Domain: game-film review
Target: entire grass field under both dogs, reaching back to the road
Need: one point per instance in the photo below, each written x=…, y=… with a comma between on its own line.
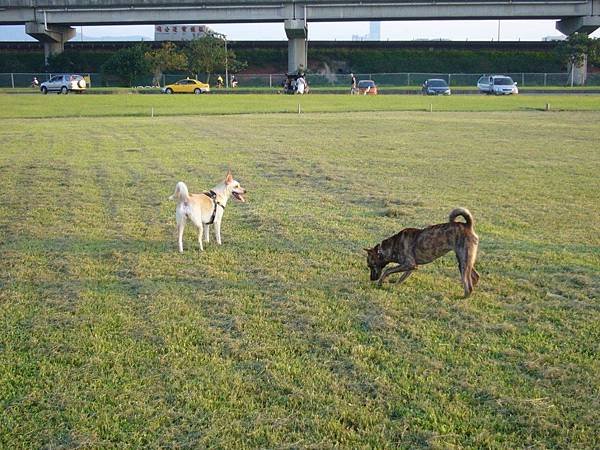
x=276, y=339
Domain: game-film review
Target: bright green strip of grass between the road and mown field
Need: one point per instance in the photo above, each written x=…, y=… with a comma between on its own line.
x=32, y=106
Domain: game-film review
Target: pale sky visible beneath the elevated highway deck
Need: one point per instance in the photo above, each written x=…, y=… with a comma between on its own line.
x=480, y=30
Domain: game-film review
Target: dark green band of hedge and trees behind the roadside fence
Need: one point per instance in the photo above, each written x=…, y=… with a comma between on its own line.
x=141, y=62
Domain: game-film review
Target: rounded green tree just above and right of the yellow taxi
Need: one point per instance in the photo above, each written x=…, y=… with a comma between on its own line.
x=208, y=55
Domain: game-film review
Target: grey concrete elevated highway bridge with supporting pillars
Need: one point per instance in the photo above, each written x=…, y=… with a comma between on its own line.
x=52, y=21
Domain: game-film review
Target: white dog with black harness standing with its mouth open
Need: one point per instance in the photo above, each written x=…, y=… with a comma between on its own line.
x=204, y=209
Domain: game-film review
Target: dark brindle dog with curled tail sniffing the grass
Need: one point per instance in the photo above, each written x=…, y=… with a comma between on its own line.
x=413, y=246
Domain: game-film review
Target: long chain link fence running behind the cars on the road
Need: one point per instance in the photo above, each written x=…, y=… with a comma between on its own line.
x=275, y=81
